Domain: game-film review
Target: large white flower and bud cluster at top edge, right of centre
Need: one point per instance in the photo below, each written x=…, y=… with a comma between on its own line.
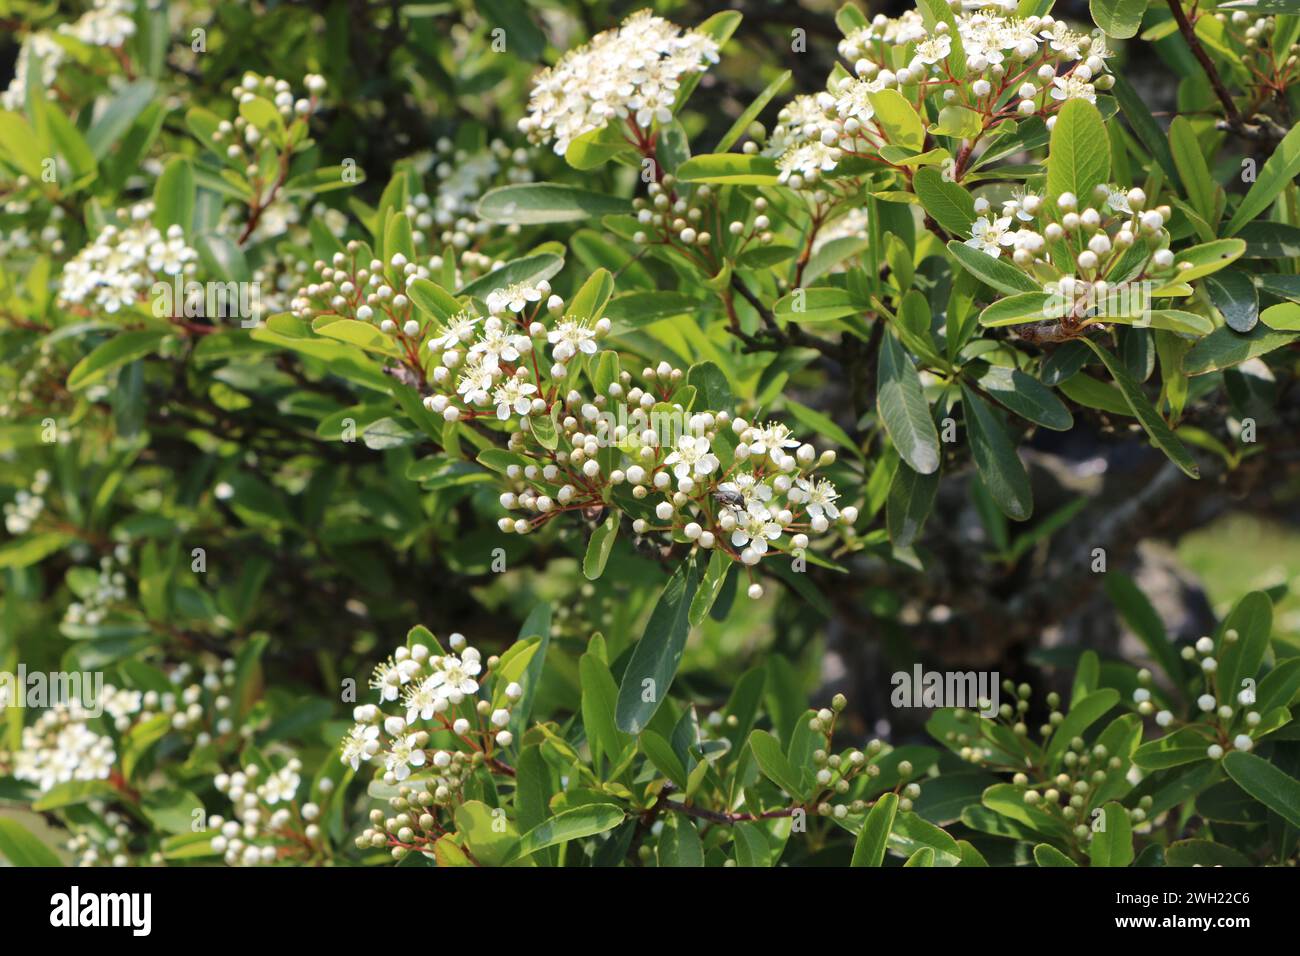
x=1003, y=67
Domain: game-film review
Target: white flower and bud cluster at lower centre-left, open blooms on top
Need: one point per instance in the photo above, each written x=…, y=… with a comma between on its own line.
x=443, y=732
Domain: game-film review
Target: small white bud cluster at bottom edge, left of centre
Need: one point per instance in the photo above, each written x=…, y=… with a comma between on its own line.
x=268, y=824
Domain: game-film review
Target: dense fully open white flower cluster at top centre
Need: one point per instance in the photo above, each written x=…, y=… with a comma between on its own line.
x=632, y=72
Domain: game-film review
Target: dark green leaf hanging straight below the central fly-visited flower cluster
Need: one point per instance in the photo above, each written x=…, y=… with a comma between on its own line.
x=656, y=657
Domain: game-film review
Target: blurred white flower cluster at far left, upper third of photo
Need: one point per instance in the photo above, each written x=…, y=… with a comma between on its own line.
x=118, y=270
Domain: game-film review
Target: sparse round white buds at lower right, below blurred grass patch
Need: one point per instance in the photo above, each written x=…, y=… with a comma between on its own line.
x=1227, y=721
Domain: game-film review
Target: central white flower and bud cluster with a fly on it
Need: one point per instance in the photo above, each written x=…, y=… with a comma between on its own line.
x=722, y=482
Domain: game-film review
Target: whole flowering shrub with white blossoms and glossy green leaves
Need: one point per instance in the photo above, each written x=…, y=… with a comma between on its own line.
x=496, y=317
